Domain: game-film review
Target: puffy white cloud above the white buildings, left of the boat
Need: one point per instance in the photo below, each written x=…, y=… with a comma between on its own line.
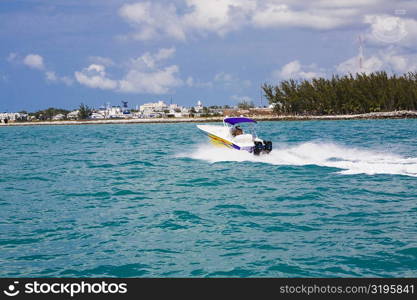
x=143, y=75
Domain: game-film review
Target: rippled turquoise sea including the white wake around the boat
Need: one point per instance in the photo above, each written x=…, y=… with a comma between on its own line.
x=334, y=198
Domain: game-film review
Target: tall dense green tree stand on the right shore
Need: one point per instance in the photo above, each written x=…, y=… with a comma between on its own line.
x=349, y=94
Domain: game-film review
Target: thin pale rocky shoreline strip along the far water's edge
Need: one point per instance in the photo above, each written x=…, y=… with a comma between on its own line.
x=374, y=115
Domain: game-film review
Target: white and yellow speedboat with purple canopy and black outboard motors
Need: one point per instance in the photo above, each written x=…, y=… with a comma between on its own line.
x=232, y=136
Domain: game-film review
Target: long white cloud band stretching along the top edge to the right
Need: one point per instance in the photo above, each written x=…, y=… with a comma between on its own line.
x=152, y=20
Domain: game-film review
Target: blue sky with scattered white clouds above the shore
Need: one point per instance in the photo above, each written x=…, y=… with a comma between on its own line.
x=60, y=53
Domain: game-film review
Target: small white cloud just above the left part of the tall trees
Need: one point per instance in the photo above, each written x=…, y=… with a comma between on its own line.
x=294, y=70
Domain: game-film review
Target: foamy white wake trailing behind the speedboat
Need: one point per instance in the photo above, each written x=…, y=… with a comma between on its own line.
x=350, y=160
